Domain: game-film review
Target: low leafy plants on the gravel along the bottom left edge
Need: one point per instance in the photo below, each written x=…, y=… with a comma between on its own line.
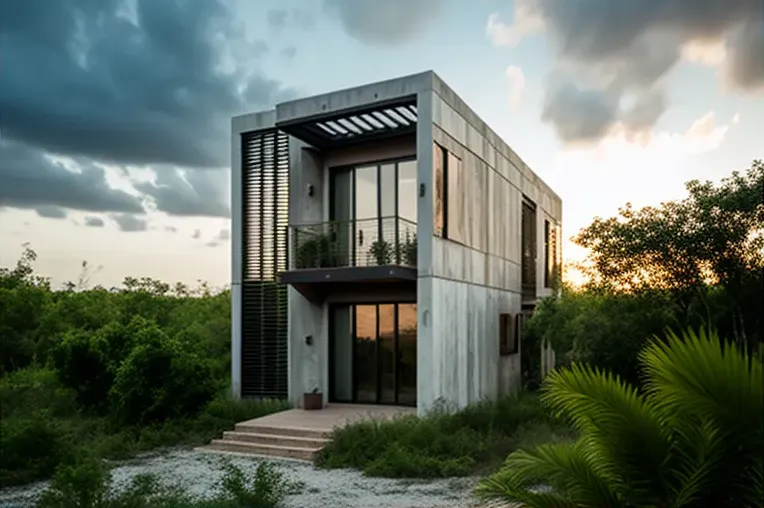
x=88, y=484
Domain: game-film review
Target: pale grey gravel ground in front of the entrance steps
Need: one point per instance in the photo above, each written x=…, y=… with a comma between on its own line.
x=199, y=472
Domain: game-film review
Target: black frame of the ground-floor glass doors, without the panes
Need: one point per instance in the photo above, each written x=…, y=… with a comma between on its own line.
x=354, y=338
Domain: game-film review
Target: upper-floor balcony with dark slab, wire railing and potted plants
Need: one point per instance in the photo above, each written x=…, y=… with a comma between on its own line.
x=342, y=260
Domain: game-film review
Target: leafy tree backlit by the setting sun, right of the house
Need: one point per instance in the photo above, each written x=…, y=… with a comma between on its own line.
x=714, y=237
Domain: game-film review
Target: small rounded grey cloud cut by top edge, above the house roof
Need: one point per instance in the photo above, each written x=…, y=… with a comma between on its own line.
x=385, y=23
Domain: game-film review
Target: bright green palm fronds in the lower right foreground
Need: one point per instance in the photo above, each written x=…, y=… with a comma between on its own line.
x=693, y=438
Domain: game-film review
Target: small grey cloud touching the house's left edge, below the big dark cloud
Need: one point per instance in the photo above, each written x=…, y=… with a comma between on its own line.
x=189, y=193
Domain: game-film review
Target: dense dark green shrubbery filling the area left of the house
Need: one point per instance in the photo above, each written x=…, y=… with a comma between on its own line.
x=109, y=372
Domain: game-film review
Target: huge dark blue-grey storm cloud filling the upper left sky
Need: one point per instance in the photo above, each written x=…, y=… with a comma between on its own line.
x=80, y=78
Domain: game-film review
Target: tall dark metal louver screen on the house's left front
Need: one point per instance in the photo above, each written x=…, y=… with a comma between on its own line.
x=265, y=160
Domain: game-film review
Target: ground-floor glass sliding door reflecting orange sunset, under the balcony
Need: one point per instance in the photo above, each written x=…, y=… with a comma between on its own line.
x=373, y=354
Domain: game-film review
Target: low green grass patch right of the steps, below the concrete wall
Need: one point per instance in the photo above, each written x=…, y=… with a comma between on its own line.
x=440, y=444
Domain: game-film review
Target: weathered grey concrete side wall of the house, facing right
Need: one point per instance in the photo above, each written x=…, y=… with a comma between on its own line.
x=464, y=287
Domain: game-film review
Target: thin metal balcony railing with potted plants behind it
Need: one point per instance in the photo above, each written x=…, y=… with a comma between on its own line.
x=368, y=242
